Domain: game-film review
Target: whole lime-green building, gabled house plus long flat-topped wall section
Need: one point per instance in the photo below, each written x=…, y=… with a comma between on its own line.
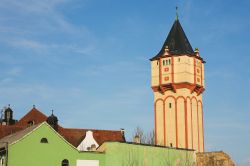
x=41, y=145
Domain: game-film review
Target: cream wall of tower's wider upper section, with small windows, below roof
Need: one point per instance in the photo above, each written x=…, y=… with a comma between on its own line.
x=177, y=69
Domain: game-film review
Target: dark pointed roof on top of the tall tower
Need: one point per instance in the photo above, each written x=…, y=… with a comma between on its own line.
x=177, y=42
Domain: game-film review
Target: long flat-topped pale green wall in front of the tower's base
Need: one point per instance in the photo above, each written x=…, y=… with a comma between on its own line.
x=123, y=154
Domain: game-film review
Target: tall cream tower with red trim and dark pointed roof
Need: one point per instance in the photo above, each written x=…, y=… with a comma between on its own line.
x=177, y=80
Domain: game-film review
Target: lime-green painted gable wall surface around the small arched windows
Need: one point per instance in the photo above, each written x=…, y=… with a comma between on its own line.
x=30, y=152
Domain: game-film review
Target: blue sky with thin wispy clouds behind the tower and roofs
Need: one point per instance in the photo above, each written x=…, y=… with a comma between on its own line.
x=89, y=61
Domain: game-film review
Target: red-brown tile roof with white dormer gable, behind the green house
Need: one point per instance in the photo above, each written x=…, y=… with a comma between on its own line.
x=73, y=136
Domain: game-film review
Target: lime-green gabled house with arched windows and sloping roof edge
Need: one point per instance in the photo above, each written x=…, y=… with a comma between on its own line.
x=41, y=145
